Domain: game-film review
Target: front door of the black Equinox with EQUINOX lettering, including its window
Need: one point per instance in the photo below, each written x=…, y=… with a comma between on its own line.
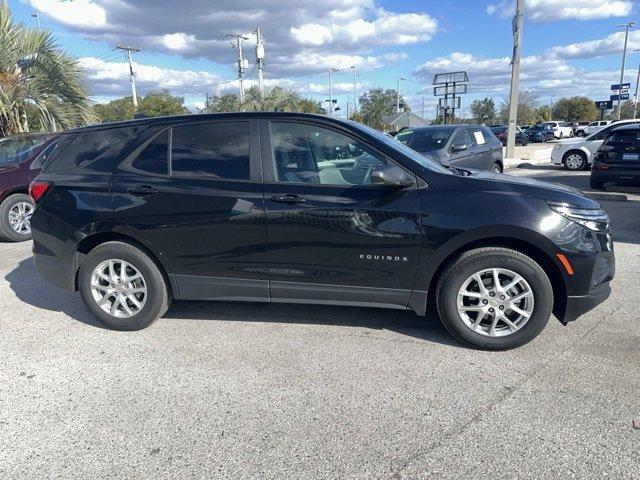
x=333, y=236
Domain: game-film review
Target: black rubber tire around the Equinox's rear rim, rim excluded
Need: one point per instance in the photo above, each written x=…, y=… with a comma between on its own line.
x=158, y=296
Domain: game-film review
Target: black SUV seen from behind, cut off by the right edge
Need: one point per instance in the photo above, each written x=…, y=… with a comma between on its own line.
x=618, y=158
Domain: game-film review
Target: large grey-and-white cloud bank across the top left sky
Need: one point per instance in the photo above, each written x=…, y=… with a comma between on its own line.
x=293, y=30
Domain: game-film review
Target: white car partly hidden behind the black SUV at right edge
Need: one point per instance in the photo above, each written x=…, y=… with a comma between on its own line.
x=577, y=153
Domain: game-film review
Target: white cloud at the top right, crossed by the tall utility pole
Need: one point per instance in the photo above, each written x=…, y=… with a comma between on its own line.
x=554, y=10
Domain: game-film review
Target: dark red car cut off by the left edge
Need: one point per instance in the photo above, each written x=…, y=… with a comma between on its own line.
x=21, y=157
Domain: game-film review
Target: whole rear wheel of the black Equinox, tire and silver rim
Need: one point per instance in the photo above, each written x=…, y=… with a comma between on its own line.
x=122, y=286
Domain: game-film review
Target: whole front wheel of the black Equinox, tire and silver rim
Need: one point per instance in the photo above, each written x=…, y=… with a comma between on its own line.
x=494, y=298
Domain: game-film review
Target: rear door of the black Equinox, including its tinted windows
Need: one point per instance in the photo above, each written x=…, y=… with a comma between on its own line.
x=193, y=194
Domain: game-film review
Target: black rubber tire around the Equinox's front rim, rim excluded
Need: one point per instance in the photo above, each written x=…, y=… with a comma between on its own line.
x=477, y=260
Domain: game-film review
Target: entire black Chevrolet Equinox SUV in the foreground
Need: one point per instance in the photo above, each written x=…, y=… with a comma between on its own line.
x=278, y=207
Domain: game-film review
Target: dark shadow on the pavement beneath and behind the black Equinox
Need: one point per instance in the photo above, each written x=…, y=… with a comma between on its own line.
x=33, y=290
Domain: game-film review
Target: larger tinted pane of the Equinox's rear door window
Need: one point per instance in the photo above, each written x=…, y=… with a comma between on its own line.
x=214, y=149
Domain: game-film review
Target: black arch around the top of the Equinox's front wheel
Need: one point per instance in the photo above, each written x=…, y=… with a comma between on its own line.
x=526, y=246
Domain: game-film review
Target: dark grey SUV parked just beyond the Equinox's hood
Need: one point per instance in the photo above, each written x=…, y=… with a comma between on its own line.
x=467, y=146
